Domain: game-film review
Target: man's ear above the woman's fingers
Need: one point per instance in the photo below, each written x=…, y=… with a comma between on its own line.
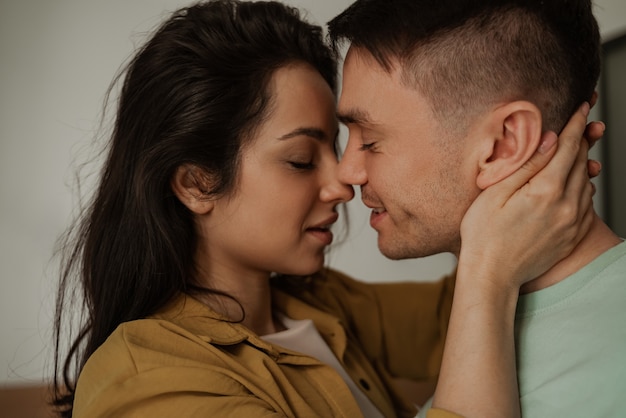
x=513, y=132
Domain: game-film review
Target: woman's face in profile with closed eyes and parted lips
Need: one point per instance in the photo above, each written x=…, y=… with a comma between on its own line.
x=278, y=218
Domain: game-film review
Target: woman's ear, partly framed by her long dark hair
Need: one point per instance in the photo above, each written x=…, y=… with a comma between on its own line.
x=190, y=185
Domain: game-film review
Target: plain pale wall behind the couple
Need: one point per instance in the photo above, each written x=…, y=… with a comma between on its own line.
x=57, y=59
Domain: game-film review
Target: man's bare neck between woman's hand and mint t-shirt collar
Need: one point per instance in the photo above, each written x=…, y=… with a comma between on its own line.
x=599, y=239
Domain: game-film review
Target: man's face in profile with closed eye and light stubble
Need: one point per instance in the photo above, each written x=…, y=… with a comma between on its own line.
x=413, y=175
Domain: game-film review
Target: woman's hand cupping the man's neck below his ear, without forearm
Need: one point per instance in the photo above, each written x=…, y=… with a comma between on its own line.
x=529, y=221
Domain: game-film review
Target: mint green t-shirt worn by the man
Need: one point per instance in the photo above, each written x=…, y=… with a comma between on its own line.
x=571, y=343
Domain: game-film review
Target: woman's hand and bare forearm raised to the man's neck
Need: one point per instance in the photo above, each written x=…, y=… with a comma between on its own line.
x=514, y=231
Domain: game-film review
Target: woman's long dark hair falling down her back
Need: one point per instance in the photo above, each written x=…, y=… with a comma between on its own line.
x=194, y=93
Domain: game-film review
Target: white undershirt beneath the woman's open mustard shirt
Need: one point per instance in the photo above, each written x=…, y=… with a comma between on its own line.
x=302, y=336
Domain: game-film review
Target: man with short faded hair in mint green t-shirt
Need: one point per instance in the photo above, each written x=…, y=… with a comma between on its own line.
x=444, y=99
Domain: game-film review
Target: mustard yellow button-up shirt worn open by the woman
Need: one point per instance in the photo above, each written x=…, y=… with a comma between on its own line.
x=189, y=361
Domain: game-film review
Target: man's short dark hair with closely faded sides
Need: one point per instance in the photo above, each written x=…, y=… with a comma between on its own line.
x=465, y=55
